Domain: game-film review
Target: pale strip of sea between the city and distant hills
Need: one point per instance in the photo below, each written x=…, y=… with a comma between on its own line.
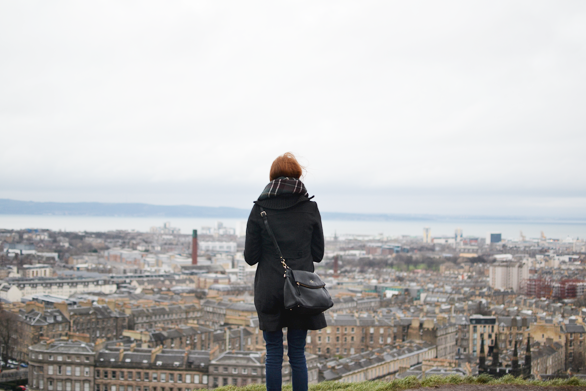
x=509, y=229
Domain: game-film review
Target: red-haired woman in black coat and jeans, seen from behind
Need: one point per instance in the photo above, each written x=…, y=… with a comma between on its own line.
x=296, y=224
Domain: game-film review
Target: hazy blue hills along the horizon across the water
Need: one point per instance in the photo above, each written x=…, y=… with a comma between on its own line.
x=14, y=207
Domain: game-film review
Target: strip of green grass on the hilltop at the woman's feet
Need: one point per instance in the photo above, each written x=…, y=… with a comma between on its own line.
x=413, y=382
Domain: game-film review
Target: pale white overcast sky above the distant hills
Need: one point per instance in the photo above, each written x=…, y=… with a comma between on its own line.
x=444, y=107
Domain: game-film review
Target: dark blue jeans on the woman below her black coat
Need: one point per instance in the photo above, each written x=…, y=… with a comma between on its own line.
x=274, y=361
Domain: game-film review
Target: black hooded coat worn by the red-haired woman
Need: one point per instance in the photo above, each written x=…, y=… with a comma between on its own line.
x=296, y=224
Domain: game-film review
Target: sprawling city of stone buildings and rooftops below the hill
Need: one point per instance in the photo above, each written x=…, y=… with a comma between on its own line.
x=169, y=311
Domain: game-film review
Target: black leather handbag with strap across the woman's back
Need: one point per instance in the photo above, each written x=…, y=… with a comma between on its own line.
x=304, y=292
